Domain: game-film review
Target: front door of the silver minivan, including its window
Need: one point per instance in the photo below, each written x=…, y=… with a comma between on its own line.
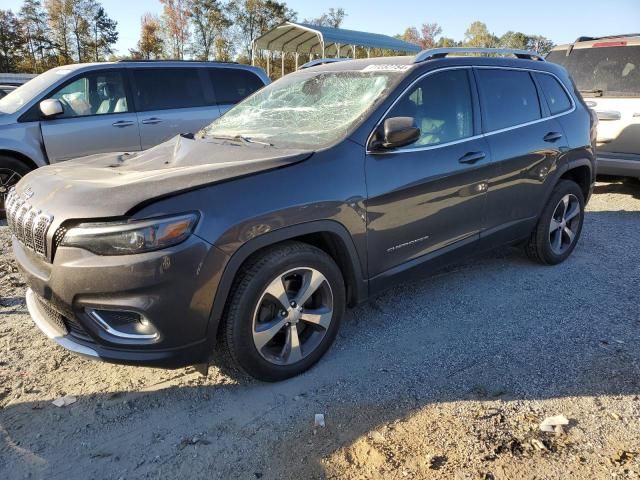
x=98, y=117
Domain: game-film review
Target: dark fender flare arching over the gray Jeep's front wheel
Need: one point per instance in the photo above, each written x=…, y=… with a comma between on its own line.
x=360, y=284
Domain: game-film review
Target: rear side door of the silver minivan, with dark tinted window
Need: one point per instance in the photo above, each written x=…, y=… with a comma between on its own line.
x=170, y=101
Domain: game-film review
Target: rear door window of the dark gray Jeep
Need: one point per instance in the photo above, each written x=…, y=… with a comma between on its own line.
x=509, y=98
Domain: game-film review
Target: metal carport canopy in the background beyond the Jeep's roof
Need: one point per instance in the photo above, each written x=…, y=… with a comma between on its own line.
x=304, y=38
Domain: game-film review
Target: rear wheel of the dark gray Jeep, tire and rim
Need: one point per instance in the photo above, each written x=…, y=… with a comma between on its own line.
x=559, y=226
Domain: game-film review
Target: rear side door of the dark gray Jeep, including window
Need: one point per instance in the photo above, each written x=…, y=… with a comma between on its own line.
x=525, y=141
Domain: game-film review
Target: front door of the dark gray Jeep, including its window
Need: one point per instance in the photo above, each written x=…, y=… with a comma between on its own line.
x=429, y=195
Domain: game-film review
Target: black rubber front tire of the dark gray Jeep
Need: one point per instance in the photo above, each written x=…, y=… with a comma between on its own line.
x=238, y=327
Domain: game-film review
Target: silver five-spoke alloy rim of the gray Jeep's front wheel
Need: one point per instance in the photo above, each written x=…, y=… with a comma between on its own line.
x=292, y=316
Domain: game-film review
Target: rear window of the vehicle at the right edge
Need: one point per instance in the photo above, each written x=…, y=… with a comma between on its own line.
x=603, y=70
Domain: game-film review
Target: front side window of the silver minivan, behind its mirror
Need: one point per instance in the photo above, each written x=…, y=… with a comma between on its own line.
x=95, y=94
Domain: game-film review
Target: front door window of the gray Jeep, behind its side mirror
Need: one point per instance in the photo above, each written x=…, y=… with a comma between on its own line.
x=442, y=105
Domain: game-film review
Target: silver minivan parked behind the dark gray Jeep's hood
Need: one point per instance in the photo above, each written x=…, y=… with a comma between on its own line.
x=77, y=110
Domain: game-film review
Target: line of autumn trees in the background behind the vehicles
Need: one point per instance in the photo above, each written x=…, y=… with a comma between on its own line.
x=48, y=33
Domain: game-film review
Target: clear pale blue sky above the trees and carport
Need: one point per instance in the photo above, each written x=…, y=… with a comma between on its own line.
x=560, y=20
